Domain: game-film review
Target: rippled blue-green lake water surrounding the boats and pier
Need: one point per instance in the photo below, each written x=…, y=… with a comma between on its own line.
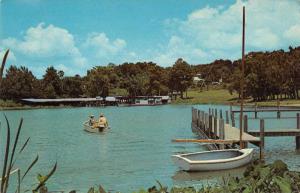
x=132, y=155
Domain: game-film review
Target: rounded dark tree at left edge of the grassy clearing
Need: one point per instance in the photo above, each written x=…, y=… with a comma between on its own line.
x=180, y=76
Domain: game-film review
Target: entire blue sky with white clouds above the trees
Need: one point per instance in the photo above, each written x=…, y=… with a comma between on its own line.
x=76, y=35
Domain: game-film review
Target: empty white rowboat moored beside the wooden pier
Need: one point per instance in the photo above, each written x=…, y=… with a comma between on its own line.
x=213, y=160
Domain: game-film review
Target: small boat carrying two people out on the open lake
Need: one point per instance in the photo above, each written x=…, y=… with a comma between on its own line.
x=94, y=126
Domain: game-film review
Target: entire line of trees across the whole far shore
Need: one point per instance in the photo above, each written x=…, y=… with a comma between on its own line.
x=268, y=75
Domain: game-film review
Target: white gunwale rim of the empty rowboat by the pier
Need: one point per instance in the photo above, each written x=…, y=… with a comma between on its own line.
x=245, y=152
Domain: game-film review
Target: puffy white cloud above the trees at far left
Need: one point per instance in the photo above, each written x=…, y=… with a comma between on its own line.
x=46, y=44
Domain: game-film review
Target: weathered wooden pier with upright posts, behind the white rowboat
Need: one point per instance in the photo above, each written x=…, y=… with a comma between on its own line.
x=221, y=132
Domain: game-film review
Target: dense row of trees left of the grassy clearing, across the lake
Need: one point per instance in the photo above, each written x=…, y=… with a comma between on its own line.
x=130, y=79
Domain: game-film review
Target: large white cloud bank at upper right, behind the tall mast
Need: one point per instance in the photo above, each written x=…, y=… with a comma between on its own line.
x=211, y=33
